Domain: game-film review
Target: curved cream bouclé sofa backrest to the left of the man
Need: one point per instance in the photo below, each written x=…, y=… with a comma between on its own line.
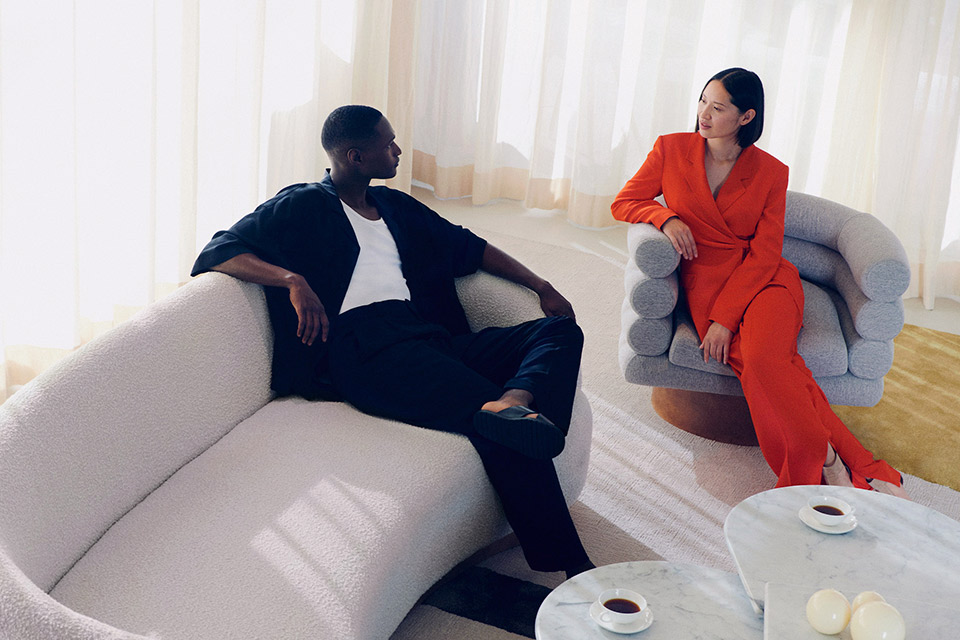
x=88, y=439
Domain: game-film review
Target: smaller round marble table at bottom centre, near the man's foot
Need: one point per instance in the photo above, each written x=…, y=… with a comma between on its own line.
x=687, y=601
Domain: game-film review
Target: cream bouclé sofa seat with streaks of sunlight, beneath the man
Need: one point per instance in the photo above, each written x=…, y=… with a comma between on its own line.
x=308, y=520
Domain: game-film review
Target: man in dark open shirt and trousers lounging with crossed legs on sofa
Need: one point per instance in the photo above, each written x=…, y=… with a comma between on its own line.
x=360, y=288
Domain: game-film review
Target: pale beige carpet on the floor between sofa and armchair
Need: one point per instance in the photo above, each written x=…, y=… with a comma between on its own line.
x=653, y=492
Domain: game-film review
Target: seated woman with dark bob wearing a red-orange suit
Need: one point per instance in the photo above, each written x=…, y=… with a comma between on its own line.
x=725, y=210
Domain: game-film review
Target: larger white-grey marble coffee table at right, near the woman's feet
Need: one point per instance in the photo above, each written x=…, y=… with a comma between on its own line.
x=899, y=548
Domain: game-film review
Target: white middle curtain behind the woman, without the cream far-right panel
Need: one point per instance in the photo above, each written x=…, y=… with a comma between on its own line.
x=580, y=90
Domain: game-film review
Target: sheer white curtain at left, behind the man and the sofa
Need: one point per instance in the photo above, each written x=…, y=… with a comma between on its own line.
x=132, y=130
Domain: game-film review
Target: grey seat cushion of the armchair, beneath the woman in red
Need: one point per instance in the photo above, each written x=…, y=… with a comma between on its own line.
x=821, y=341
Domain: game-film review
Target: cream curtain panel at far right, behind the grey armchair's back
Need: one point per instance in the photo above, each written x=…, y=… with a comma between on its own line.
x=895, y=154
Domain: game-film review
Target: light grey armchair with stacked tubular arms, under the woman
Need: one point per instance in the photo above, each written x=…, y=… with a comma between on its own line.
x=853, y=270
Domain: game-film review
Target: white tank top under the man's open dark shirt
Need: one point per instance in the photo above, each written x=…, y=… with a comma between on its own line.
x=377, y=275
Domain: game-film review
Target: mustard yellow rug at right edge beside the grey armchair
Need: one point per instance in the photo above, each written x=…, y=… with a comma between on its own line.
x=916, y=426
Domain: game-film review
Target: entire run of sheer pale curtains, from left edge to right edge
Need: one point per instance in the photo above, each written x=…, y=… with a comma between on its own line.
x=131, y=130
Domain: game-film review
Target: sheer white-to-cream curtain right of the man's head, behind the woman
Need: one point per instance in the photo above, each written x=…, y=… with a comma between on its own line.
x=557, y=102
